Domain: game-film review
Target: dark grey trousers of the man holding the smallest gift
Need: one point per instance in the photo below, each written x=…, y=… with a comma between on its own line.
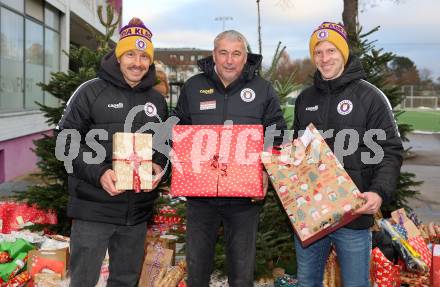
x=89, y=242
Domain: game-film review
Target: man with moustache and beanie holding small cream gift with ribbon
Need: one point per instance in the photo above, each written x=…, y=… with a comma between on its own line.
x=103, y=217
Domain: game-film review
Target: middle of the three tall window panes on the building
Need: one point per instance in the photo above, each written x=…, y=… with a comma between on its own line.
x=34, y=59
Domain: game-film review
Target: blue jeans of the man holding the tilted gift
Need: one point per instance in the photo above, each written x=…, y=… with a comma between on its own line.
x=353, y=249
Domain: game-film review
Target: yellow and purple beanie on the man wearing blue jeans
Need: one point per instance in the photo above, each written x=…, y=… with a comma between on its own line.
x=335, y=34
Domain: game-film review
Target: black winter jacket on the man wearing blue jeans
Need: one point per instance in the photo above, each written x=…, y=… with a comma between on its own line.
x=350, y=102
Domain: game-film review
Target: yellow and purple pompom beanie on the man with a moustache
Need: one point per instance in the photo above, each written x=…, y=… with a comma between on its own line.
x=135, y=36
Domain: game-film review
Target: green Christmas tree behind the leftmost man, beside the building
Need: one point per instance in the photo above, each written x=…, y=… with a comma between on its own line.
x=83, y=65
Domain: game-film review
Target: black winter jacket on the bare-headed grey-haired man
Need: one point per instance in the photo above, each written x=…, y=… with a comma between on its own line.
x=249, y=100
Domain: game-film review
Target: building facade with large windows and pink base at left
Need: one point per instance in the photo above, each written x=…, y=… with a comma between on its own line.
x=34, y=35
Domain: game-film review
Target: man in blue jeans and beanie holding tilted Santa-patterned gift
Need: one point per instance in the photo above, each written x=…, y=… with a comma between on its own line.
x=349, y=111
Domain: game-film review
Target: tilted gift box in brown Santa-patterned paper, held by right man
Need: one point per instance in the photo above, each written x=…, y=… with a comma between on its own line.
x=315, y=190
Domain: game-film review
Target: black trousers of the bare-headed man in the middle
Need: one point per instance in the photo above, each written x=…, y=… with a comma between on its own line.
x=240, y=222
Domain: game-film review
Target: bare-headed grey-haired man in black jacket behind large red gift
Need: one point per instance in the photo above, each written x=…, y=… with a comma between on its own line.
x=228, y=89
